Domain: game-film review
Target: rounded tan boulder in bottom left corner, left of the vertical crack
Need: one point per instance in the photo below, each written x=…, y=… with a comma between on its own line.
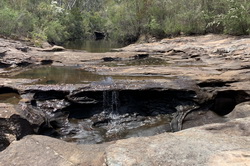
x=42, y=150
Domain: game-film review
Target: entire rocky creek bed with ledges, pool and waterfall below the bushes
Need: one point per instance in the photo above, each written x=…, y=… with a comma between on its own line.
x=180, y=101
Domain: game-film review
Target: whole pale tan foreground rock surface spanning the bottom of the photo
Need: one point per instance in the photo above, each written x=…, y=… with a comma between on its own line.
x=207, y=145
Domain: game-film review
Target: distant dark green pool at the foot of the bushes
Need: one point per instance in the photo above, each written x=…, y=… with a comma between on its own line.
x=93, y=45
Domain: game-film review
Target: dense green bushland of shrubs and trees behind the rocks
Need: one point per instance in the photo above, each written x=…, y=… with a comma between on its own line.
x=58, y=21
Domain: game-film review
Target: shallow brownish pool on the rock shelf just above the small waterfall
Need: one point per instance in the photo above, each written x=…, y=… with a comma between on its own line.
x=74, y=75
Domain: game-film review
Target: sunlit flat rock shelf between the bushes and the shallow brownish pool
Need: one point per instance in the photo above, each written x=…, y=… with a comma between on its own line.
x=203, y=59
